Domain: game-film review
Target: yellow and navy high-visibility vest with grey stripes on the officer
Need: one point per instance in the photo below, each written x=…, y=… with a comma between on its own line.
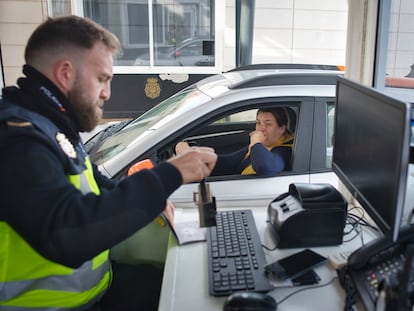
x=29, y=281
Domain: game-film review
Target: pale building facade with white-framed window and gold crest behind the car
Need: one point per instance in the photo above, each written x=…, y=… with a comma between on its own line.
x=169, y=44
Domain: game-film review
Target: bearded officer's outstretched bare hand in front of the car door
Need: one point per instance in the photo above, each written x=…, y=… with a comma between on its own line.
x=195, y=163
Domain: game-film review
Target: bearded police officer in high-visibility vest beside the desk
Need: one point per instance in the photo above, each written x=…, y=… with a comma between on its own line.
x=58, y=214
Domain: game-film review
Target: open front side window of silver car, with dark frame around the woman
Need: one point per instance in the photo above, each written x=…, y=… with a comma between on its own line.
x=227, y=130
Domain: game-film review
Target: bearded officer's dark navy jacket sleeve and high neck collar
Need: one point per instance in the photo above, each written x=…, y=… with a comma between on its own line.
x=39, y=202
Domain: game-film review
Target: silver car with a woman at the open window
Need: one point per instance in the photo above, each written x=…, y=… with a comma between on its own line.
x=220, y=111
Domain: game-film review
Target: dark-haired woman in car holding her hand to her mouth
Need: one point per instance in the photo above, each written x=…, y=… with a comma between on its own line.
x=268, y=153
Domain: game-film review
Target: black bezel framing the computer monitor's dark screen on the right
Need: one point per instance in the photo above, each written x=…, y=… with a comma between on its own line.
x=391, y=227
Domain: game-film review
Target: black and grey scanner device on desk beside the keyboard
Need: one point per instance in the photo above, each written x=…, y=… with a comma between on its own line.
x=308, y=215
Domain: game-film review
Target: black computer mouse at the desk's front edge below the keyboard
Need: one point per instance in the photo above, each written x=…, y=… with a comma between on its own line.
x=249, y=301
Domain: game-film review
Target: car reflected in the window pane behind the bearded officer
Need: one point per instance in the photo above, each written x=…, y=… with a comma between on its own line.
x=188, y=52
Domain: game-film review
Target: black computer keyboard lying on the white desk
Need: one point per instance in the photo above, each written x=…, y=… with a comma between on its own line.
x=236, y=258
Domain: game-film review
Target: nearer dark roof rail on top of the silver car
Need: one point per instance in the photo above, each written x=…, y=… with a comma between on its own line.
x=287, y=79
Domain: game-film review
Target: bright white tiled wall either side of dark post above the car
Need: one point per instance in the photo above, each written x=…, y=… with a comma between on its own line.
x=292, y=31
